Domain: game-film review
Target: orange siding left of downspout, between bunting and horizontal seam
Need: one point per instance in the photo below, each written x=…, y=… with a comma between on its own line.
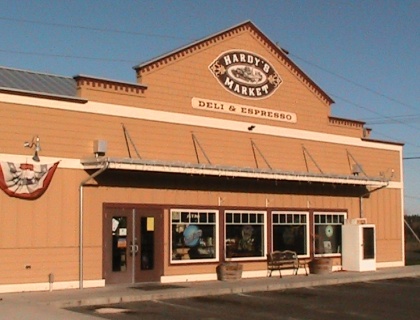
x=50, y=221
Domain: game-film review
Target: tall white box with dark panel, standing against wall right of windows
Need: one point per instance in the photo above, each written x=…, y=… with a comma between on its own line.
x=359, y=247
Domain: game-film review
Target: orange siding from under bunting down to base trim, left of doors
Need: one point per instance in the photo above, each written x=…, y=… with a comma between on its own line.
x=44, y=234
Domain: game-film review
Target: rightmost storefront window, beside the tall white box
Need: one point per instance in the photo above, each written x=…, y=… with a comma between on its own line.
x=328, y=233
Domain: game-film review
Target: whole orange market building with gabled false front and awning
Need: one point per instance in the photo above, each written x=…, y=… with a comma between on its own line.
x=223, y=150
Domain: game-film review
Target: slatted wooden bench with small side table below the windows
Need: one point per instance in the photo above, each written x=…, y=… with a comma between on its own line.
x=281, y=260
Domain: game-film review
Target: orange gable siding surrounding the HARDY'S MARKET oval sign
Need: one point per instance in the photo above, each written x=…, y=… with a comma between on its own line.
x=292, y=95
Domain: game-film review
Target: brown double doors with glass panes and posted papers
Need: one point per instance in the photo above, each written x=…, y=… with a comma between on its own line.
x=132, y=244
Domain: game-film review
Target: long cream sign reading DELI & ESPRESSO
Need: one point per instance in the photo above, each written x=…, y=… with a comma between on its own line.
x=238, y=109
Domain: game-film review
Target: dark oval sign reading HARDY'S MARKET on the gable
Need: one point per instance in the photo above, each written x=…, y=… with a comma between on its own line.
x=245, y=74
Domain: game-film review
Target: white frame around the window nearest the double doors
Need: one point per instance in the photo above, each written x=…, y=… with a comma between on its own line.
x=191, y=219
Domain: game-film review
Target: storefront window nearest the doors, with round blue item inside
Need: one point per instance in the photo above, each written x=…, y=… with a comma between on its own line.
x=193, y=235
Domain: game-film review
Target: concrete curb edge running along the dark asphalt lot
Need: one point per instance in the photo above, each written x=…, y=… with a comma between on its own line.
x=190, y=290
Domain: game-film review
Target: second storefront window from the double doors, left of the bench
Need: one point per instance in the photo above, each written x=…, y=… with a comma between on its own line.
x=245, y=234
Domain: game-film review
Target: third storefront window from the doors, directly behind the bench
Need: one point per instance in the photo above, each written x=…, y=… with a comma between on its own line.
x=290, y=232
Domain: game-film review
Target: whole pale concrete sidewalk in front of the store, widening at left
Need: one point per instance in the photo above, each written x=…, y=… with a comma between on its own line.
x=50, y=305
